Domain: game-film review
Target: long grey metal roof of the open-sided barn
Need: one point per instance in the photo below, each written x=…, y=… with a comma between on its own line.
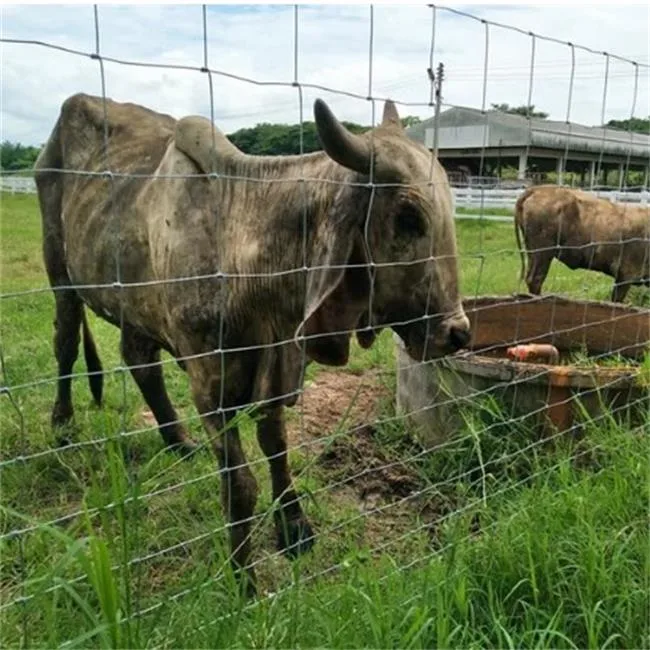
x=468, y=128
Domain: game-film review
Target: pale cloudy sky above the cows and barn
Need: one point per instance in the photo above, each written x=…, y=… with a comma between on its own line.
x=258, y=45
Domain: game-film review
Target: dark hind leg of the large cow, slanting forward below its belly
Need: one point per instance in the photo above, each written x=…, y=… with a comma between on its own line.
x=141, y=351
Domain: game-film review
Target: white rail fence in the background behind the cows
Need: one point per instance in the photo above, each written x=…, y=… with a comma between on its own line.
x=465, y=197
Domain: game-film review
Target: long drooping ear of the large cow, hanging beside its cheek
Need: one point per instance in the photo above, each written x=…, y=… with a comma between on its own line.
x=338, y=290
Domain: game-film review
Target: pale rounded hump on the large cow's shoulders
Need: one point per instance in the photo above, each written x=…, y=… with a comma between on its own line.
x=202, y=141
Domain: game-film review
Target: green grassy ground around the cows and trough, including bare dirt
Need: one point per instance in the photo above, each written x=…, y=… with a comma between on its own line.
x=497, y=540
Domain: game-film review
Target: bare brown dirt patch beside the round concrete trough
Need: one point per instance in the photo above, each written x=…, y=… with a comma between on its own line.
x=339, y=431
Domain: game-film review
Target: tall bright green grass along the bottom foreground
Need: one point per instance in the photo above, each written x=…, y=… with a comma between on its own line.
x=556, y=557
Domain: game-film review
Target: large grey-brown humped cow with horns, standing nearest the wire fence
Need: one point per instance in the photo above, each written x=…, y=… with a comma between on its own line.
x=244, y=268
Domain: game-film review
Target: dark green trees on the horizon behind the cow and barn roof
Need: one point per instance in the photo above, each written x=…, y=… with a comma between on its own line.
x=286, y=139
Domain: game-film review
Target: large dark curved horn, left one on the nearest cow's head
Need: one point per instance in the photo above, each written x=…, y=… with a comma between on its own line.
x=347, y=149
